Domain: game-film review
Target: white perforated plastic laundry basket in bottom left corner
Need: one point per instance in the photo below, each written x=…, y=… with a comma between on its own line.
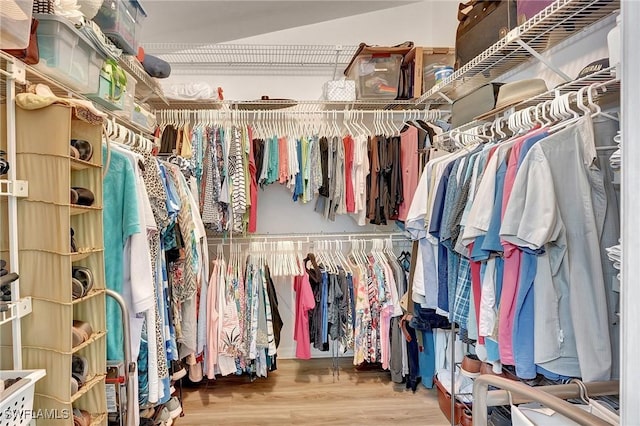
x=16, y=401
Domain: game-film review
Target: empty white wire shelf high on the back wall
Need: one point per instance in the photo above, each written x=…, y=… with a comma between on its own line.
x=252, y=58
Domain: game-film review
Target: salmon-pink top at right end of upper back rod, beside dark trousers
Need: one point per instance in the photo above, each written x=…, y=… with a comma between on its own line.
x=410, y=166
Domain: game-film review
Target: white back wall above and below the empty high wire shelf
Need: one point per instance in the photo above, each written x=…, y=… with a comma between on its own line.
x=427, y=23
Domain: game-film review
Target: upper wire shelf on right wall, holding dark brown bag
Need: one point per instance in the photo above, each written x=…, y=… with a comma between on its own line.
x=556, y=23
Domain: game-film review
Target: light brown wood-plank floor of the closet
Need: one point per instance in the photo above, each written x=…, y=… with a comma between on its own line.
x=307, y=393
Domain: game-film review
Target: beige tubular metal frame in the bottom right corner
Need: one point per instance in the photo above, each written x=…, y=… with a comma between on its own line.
x=550, y=396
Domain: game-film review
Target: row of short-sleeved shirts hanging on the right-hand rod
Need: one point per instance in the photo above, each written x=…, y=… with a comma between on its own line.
x=490, y=244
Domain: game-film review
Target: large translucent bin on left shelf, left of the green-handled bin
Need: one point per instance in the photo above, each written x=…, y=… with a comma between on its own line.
x=67, y=55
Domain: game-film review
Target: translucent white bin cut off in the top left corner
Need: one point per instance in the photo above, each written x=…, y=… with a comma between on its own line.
x=15, y=23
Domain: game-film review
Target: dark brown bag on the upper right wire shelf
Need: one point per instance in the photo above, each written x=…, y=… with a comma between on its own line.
x=481, y=24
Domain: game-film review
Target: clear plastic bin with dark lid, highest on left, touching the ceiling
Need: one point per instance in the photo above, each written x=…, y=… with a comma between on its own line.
x=121, y=20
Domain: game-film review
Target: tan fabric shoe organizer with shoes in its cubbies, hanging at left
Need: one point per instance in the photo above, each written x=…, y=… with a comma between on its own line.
x=46, y=259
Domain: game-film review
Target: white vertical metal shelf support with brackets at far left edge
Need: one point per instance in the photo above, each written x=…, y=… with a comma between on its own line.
x=11, y=71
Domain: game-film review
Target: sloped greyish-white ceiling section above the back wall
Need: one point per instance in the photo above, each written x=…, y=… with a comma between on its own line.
x=208, y=22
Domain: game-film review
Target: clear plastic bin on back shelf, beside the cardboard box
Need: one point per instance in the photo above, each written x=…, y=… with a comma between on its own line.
x=377, y=76
